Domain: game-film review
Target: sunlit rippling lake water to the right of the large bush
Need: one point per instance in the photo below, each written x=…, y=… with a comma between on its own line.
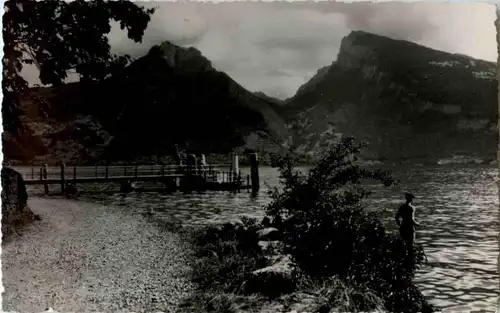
x=458, y=210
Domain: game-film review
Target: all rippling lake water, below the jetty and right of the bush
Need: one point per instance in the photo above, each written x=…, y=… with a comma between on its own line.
x=457, y=208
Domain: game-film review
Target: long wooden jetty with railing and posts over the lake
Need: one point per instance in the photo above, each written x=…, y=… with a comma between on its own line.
x=183, y=177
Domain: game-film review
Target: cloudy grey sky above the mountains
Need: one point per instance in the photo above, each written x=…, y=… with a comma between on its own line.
x=275, y=47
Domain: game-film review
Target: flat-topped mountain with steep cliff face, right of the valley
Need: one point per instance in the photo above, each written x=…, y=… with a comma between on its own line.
x=409, y=102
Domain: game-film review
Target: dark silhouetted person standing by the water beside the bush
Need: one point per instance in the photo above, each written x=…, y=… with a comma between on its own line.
x=405, y=218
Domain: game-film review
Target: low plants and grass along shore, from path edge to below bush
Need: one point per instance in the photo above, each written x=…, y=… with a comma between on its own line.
x=223, y=261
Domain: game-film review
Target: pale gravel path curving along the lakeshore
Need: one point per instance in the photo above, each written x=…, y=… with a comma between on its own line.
x=85, y=257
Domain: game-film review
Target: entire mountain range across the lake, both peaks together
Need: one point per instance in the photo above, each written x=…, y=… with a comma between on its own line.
x=411, y=103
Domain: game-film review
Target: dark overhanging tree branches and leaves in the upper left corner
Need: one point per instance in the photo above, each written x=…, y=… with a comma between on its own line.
x=59, y=36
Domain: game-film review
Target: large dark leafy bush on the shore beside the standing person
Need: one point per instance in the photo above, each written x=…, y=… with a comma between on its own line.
x=328, y=233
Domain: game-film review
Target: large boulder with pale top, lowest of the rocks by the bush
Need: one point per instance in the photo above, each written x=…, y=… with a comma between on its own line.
x=273, y=280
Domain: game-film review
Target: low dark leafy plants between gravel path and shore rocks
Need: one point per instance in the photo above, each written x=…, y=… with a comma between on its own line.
x=224, y=258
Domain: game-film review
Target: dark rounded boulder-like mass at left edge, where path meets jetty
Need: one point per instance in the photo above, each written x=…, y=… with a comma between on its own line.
x=15, y=210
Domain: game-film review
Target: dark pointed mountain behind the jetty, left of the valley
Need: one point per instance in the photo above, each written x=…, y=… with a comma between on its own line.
x=171, y=95
